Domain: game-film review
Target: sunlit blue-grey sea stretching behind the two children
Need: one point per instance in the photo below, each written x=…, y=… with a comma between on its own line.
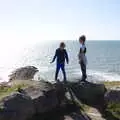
x=103, y=58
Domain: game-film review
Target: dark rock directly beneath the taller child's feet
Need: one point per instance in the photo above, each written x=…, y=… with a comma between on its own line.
x=88, y=93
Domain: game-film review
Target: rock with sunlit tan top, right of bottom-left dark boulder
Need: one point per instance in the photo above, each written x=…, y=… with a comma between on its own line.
x=43, y=95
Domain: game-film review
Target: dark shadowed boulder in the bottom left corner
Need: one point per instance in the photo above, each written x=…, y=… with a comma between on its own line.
x=17, y=107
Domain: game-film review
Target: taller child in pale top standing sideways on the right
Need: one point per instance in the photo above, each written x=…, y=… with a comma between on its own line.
x=82, y=57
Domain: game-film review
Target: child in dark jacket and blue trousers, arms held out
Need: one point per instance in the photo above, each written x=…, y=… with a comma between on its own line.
x=61, y=55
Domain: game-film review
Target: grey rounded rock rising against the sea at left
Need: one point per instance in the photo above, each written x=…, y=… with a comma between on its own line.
x=23, y=73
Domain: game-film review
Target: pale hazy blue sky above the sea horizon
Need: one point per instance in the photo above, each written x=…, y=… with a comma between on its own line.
x=36, y=20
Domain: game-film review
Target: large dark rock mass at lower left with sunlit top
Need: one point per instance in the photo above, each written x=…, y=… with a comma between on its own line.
x=26, y=102
